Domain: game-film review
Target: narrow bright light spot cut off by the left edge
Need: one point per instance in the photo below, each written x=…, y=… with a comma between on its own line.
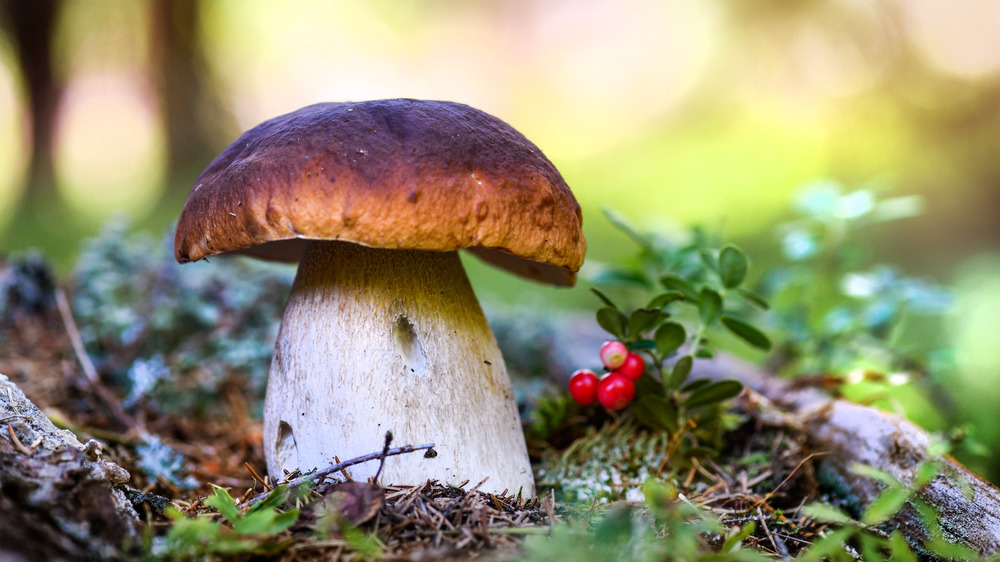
x=13, y=140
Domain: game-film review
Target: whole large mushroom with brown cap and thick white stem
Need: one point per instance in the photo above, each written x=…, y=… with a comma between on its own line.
x=382, y=330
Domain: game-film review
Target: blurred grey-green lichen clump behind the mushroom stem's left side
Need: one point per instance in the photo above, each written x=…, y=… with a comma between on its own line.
x=172, y=334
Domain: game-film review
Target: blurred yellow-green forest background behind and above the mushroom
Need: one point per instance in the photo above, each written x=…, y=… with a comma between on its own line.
x=673, y=112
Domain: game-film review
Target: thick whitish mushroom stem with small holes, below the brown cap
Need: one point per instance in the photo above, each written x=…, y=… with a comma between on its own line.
x=375, y=340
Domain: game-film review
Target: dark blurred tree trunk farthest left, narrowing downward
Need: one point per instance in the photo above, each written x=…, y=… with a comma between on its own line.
x=31, y=25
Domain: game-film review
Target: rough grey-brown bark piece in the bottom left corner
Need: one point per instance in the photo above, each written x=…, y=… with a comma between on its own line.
x=58, y=497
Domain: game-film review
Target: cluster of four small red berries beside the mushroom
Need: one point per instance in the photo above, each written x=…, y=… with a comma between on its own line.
x=616, y=389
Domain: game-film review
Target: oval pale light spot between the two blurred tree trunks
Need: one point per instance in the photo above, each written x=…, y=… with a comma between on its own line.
x=109, y=150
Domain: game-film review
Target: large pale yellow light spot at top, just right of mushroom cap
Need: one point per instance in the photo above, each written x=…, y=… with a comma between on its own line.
x=601, y=72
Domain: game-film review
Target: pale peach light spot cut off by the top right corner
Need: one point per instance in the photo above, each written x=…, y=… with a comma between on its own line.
x=960, y=36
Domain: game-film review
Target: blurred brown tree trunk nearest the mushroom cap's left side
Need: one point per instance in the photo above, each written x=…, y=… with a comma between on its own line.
x=192, y=111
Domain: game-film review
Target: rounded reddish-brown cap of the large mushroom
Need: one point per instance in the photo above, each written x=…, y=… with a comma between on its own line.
x=400, y=174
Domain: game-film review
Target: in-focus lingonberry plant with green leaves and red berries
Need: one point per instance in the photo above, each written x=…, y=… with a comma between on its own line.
x=663, y=339
